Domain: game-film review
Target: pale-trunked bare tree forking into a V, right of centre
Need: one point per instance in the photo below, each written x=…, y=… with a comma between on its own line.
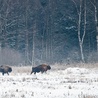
x=81, y=38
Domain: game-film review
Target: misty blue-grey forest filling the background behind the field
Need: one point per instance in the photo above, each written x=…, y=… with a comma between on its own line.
x=48, y=31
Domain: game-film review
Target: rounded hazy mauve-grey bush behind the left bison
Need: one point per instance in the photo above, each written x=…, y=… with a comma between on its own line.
x=10, y=57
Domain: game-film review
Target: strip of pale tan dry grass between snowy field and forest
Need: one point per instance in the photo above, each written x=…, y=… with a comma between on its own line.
x=57, y=66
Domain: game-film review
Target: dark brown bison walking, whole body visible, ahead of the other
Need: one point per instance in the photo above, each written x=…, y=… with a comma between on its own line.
x=41, y=68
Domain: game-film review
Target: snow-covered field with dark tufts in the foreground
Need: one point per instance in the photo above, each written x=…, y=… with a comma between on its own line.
x=68, y=83
